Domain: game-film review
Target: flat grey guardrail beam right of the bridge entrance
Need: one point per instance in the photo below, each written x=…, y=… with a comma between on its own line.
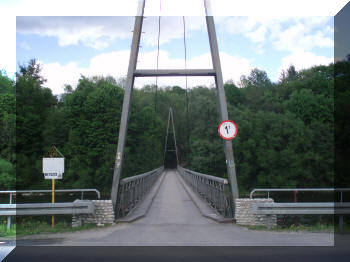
x=326, y=208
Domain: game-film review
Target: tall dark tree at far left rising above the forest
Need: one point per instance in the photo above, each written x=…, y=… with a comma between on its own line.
x=34, y=103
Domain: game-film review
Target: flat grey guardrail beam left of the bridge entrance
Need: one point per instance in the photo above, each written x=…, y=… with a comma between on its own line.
x=77, y=207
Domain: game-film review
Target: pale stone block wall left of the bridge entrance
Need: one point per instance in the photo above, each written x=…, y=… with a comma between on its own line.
x=103, y=214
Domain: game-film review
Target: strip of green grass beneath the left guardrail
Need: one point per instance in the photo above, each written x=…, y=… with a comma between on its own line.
x=37, y=227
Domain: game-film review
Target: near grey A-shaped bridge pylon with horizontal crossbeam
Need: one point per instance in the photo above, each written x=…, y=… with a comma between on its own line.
x=132, y=73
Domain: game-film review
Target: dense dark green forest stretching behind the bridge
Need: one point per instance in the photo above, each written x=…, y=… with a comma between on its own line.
x=285, y=129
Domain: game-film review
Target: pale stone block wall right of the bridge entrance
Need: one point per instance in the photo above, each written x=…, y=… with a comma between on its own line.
x=244, y=213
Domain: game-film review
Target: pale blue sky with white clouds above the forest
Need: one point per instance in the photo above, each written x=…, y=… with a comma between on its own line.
x=68, y=46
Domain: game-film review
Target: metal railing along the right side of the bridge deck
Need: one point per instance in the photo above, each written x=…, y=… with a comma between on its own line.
x=214, y=190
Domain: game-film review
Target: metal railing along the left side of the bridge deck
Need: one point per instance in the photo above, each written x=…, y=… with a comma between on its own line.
x=133, y=189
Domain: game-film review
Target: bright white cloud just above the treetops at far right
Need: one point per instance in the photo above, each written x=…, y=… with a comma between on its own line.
x=303, y=60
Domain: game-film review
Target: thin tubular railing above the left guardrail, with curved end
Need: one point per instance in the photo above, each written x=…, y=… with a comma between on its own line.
x=14, y=192
